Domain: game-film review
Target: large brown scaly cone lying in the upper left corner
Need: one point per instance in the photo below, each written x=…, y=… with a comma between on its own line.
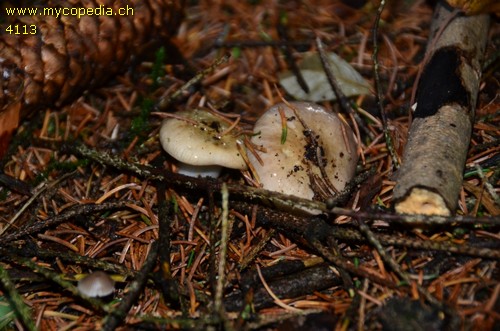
x=70, y=54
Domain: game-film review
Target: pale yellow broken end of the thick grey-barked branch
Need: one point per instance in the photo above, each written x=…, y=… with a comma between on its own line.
x=422, y=201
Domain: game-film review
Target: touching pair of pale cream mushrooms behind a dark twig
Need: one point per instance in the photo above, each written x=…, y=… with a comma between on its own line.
x=300, y=148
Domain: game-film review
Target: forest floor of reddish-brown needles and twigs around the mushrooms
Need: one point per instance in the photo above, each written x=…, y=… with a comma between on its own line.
x=209, y=261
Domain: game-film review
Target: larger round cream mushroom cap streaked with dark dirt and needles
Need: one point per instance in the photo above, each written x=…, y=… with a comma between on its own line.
x=304, y=150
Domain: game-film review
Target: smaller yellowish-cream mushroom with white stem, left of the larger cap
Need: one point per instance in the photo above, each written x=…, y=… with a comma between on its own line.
x=200, y=141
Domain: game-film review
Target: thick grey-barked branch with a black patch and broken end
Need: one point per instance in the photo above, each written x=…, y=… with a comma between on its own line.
x=430, y=177
